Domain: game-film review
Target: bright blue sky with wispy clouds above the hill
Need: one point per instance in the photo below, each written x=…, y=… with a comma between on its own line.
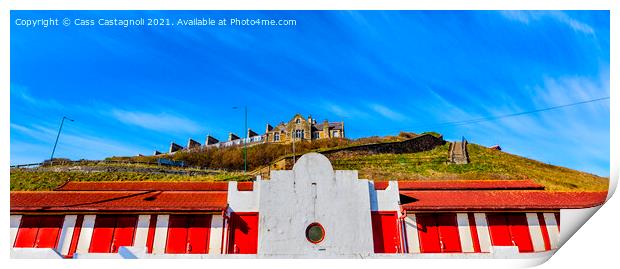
x=134, y=90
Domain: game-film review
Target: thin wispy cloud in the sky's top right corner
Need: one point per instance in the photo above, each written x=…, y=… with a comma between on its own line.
x=527, y=17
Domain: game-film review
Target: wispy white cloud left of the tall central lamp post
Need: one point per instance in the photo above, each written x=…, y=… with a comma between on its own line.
x=162, y=122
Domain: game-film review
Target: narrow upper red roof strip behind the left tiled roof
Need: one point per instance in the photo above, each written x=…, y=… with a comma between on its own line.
x=151, y=185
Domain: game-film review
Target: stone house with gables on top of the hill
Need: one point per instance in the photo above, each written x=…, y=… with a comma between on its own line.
x=302, y=129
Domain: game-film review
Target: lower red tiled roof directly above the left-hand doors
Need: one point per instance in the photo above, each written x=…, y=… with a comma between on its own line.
x=119, y=201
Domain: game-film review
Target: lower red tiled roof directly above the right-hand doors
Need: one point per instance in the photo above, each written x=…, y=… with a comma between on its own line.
x=498, y=200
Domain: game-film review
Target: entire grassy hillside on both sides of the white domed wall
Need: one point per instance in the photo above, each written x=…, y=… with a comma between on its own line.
x=484, y=163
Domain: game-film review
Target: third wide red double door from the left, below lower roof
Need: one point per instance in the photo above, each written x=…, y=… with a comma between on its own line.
x=188, y=234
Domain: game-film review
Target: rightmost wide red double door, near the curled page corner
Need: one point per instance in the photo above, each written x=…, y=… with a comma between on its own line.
x=510, y=229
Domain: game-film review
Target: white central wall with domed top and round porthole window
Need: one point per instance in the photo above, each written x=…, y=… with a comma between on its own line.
x=314, y=192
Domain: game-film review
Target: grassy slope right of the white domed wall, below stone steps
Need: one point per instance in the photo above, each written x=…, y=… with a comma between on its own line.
x=484, y=163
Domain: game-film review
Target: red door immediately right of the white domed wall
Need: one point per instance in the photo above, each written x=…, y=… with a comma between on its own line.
x=385, y=232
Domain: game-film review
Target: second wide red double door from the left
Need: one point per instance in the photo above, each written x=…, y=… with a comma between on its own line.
x=112, y=232
